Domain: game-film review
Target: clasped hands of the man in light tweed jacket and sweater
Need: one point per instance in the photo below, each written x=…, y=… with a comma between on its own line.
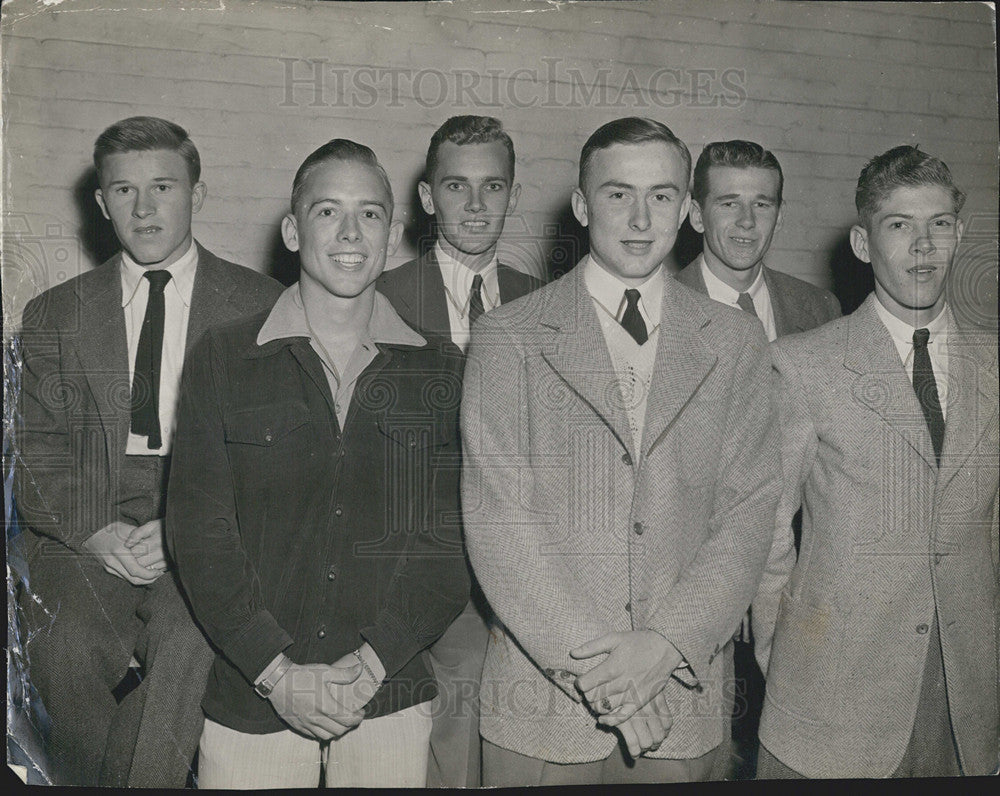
x=626, y=689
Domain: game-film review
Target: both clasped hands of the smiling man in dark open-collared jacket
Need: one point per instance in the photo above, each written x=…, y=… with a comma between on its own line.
x=324, y=701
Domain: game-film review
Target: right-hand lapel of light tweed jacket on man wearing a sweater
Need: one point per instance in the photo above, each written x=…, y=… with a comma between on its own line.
x=683, y=360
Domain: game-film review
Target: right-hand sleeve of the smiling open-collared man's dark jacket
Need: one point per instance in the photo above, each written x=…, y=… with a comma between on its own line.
x=431, y=585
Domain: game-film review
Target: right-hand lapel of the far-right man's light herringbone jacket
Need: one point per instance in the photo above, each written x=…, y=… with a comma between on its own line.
x=971, y=400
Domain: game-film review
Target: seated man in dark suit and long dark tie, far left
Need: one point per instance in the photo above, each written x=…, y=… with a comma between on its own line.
x=102, y=357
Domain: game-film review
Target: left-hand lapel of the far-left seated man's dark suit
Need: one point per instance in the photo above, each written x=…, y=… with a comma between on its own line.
x=102, y=349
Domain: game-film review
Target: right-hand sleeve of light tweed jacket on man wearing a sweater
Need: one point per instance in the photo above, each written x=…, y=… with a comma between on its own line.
x=700, y=611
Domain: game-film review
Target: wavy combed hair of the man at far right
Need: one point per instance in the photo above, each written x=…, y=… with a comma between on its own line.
x=902, y=166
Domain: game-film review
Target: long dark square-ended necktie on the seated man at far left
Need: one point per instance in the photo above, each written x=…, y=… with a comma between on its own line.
x=146, y=381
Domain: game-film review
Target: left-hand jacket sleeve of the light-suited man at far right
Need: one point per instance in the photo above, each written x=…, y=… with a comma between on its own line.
x=798, y=451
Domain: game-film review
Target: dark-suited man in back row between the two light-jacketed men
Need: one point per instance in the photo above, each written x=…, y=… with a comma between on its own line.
x=736, y=203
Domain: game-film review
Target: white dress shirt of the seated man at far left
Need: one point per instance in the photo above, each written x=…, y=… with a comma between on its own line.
x=177, y=309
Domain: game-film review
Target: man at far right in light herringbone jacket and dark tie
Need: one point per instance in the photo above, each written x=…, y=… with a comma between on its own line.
x=884, y=655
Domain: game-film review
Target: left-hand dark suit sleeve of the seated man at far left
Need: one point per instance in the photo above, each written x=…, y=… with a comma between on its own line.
x=52, y=497
